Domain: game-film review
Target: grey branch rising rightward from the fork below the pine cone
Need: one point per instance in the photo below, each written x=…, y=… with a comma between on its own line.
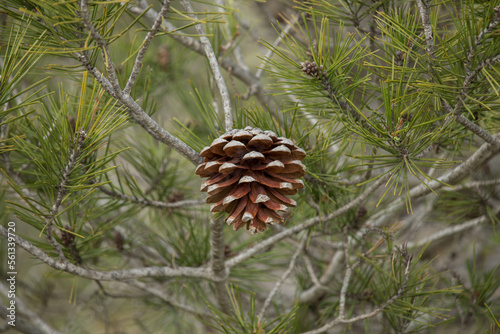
x=305, y=225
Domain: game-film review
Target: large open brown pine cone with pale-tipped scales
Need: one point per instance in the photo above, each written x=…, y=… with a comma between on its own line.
x=250, y=173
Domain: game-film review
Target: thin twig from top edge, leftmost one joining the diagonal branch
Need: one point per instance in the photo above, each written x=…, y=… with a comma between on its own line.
x=103, y=45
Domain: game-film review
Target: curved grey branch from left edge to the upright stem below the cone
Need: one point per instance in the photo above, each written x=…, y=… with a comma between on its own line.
x=116, y=275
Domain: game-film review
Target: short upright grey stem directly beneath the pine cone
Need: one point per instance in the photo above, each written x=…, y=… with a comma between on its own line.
x=218, y=265
